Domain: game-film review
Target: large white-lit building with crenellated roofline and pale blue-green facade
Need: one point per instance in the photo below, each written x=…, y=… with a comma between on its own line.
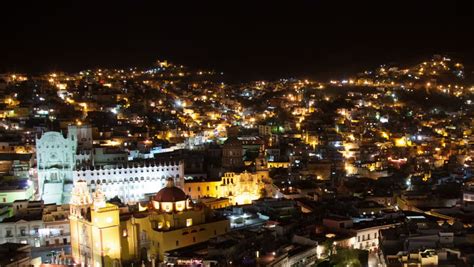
x=59, y=165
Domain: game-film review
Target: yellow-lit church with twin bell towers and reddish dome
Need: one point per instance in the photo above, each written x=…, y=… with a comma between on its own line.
x=102, y=235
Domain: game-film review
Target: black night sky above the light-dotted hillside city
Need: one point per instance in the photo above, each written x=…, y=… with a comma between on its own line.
x=250, y=39
